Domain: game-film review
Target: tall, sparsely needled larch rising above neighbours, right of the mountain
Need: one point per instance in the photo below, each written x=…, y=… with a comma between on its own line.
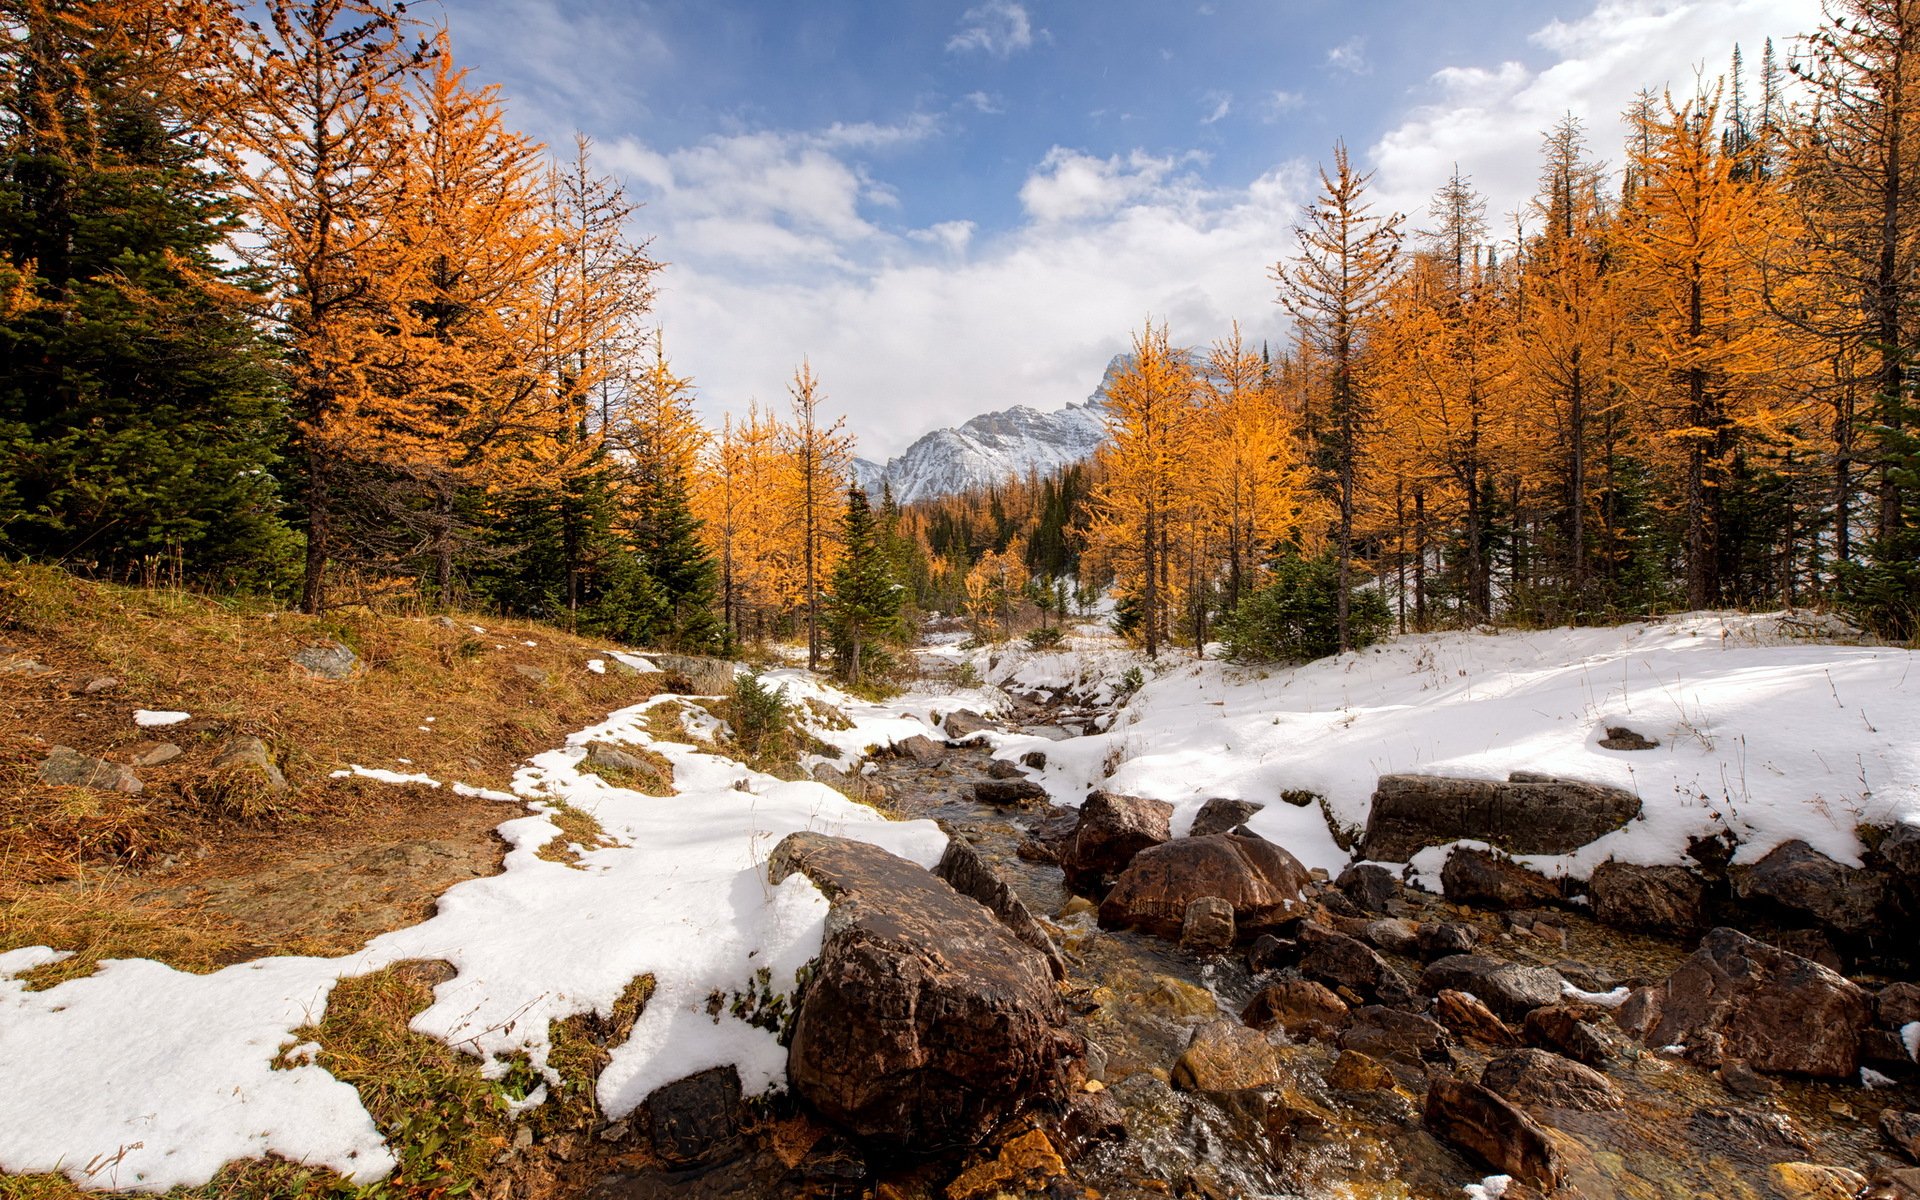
x=1333, y=287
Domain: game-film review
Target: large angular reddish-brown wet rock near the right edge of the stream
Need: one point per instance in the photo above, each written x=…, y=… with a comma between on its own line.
x=1775, y=1011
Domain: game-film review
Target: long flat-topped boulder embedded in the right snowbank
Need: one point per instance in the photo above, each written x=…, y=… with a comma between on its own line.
x=1529, y=815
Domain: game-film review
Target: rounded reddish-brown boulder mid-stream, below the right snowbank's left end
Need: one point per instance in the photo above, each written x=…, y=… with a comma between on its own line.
x=1259, y=878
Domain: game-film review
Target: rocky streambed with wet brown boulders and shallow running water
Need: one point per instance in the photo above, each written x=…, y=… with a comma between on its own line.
x=1080, y=1005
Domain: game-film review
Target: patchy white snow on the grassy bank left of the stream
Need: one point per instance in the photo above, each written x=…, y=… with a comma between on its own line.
x=145, y=1078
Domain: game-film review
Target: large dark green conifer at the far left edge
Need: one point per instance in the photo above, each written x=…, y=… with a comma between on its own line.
x=137, y=416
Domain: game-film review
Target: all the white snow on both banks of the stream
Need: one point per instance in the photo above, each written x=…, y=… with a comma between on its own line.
x=147, y=1078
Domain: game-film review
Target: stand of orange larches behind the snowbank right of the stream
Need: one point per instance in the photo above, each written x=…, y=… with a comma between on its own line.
x=1683, y=383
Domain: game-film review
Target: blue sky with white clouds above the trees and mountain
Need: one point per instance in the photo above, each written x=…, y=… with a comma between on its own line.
x=957, y=206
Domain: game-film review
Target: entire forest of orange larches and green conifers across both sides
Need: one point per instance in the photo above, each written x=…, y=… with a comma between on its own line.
x=289, y=306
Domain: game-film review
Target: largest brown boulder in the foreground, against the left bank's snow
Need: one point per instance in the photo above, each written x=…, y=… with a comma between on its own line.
x=926, y=1020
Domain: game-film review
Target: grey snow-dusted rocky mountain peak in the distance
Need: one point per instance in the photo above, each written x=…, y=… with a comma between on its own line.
x=992, y=448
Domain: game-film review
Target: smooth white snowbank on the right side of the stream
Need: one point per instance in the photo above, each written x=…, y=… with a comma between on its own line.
x=1764, y=732
